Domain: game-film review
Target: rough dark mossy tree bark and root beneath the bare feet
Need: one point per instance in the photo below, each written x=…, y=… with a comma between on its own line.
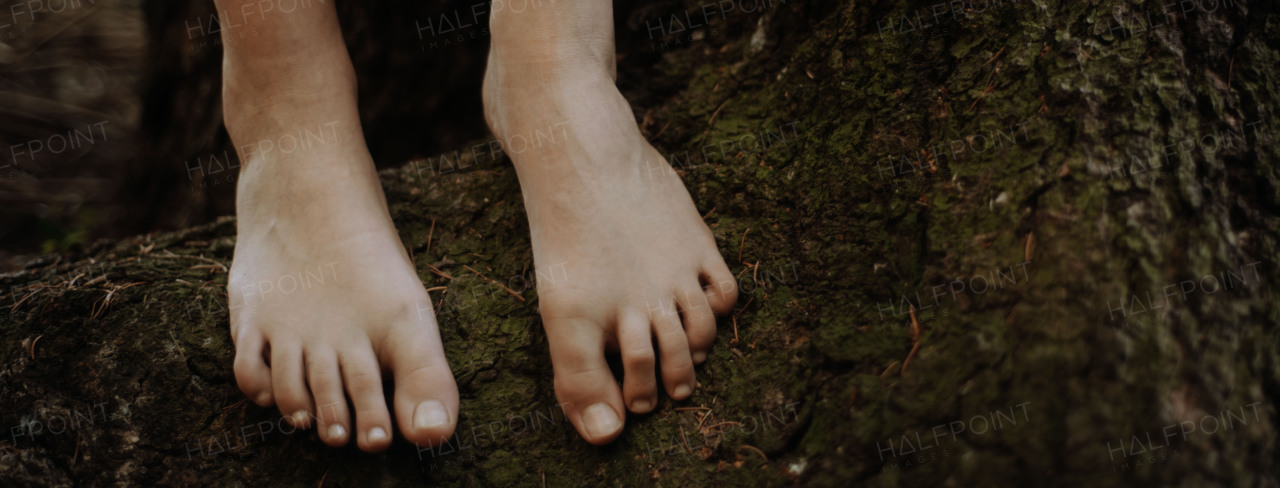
x=995, y=175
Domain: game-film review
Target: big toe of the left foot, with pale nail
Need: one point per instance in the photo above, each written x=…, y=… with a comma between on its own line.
x=427, y=395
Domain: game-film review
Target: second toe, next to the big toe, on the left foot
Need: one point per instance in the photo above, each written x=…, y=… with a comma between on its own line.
x=362, y=375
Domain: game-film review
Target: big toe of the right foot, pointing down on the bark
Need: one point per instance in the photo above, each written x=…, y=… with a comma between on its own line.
x=584, y=384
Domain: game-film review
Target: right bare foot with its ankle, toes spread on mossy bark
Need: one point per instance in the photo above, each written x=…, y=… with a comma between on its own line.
x=625, y=259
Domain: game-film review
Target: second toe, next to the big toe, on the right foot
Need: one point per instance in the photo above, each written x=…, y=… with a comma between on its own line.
x=639, y=384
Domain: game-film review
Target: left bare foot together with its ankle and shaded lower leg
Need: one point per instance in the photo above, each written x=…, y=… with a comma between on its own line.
x=324, y=299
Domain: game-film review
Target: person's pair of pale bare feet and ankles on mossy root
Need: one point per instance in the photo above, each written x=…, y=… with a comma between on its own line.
x=634, y=270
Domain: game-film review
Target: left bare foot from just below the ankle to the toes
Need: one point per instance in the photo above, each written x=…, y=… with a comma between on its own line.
x=324, y=300
